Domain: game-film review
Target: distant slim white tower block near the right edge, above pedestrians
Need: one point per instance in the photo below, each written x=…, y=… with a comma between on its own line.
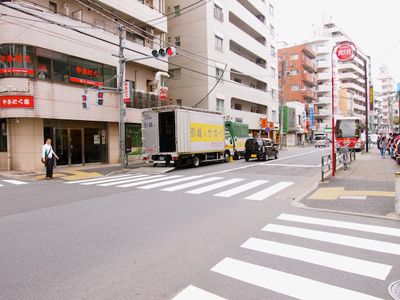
x=390, y=106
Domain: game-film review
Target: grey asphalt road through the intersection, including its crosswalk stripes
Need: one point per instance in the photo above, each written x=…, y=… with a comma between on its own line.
x=214, y=236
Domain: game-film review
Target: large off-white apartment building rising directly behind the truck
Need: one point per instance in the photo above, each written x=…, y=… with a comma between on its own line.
x=227, y=61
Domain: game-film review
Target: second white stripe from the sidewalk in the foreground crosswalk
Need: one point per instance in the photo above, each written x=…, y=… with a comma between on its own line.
x=335, y=238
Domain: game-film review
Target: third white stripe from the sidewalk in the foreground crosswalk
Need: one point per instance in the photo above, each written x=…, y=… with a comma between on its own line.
x=338, y=262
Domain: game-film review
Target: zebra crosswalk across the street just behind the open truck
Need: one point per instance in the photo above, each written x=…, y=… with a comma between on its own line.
x=257, y=190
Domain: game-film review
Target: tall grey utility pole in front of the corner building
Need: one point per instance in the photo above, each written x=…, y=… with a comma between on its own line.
x=121, y=97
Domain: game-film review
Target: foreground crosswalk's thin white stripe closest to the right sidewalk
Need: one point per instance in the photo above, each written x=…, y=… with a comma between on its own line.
x=341, y=224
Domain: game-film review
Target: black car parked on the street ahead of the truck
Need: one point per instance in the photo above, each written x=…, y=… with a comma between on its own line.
x=262, y=149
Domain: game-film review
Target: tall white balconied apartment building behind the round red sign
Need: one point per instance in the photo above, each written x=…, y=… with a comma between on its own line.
x=351, y=90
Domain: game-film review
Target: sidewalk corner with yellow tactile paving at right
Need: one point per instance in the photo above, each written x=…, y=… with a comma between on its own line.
x=367, y=187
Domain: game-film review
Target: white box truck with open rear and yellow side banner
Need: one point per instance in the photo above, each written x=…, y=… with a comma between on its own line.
x=174, y=135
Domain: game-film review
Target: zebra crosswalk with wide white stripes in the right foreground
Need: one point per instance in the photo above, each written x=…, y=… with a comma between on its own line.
x=302, y=287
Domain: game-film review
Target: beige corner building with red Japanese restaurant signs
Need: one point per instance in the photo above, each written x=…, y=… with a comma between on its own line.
x=51, y=52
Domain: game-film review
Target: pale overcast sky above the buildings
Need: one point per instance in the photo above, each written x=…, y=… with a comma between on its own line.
x=374, y=26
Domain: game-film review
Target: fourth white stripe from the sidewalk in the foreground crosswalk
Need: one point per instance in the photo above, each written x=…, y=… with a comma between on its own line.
x=292, y=285
